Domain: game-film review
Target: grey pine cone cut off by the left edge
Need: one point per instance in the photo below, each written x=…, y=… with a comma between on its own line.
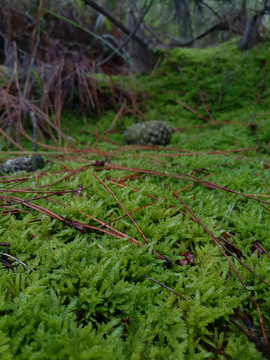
x=26, y=163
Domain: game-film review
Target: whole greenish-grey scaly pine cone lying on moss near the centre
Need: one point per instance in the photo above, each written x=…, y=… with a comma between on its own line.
x=153, y=132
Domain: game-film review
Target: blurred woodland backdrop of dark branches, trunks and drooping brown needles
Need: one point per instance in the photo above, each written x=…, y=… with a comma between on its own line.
x=61, y=54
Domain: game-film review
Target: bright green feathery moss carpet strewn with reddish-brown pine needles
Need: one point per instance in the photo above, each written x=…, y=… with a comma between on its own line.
x=88, y=297
